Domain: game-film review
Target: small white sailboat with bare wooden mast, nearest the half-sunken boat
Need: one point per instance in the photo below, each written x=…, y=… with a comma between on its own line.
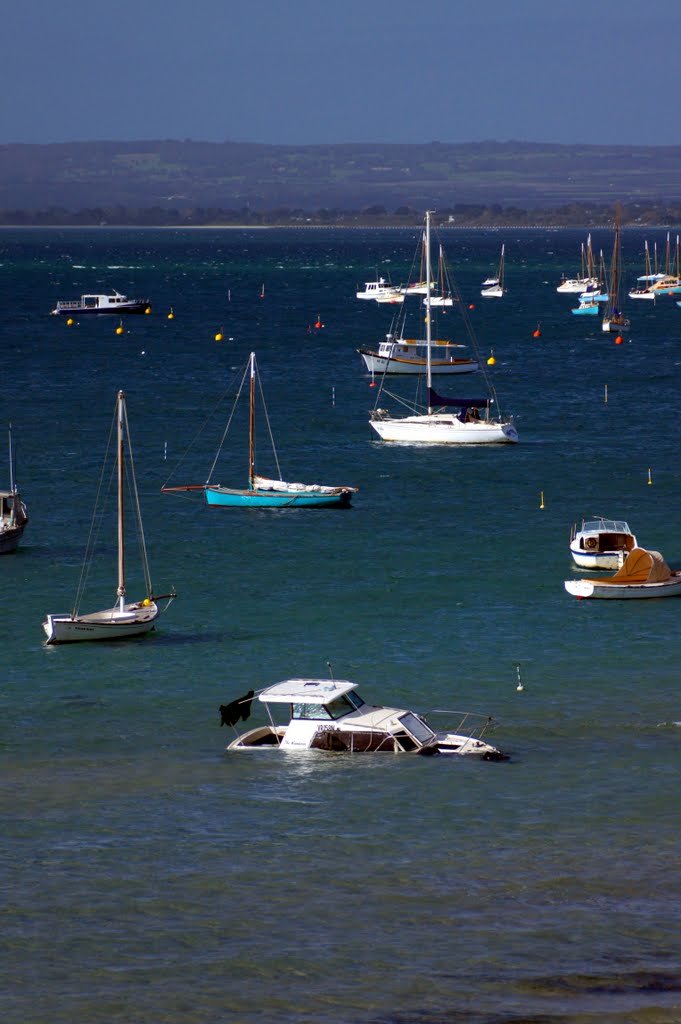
x=124, y=619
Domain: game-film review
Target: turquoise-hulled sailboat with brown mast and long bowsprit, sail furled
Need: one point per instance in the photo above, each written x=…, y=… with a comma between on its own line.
x=265, y=492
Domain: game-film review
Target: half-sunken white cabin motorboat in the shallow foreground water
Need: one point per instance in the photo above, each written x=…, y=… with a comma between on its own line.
x=330, y=715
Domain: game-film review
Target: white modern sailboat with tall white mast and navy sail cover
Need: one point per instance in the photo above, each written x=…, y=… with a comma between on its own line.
x=472, y=424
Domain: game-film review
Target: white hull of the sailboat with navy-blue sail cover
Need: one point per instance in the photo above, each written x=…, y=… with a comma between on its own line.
x=444, y=430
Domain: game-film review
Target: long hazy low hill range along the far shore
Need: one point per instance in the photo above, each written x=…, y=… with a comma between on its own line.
x=239, y=177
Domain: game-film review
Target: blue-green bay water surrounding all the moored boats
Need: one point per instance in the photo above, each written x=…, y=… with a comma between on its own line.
x=149, y=878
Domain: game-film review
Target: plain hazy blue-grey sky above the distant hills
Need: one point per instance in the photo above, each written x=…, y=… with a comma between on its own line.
x=342, y=71
